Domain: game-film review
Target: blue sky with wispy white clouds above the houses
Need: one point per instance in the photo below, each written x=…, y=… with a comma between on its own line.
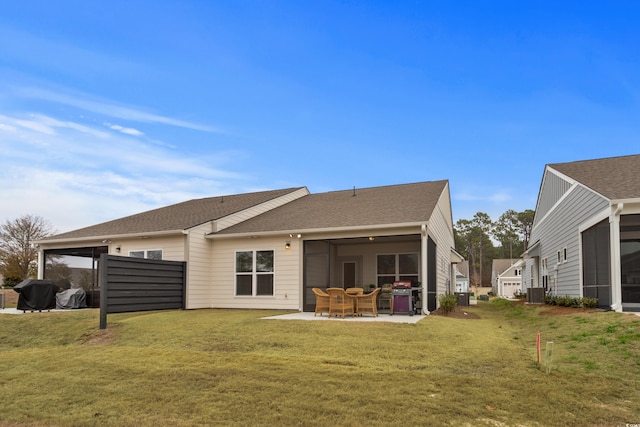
x=112, y=108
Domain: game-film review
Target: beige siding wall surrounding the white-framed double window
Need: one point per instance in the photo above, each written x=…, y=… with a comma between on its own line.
x=287, y=285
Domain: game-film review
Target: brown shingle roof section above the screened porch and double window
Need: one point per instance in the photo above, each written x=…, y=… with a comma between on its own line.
x=394, y=204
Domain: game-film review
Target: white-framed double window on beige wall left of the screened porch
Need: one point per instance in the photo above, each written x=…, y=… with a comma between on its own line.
x=254, y=273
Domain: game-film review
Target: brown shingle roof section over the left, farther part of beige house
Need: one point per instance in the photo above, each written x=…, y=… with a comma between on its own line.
x=180, y=216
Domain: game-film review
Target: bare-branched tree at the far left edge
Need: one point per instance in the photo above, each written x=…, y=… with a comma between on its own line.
x=17, y=254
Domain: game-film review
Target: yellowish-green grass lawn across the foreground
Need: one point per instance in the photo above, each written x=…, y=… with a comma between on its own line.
x=230, y=367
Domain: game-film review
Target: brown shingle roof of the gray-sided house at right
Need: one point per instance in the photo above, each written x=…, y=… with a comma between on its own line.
x=613, y=177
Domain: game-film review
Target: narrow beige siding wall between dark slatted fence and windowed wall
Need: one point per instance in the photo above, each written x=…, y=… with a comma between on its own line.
x=199, y=267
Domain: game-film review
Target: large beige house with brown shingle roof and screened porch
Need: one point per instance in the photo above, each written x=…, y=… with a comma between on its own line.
x=267, y=250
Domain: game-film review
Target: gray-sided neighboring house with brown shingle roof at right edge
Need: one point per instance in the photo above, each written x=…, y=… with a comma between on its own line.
x=585, y=239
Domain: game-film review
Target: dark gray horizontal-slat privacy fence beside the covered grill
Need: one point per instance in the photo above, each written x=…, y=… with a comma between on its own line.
x=136, y=284
